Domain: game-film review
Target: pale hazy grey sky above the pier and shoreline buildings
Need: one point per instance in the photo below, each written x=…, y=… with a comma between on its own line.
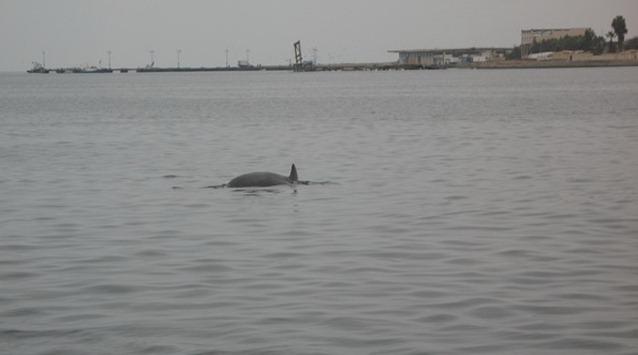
x=78, y=32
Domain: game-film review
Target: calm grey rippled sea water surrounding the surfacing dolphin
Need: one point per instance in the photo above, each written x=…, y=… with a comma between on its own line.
x=468, y=212
